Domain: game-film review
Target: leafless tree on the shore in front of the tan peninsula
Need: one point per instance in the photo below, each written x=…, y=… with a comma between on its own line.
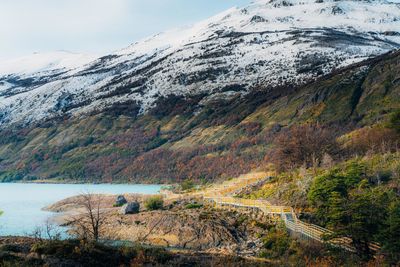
x=89, y=223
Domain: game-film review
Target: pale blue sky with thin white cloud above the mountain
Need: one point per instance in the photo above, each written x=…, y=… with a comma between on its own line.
x=94, y=26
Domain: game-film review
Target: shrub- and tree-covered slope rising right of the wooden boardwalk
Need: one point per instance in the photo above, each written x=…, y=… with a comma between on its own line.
x=347, y=182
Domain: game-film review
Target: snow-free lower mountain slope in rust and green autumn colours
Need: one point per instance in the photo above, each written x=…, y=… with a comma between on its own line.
x=176, y=141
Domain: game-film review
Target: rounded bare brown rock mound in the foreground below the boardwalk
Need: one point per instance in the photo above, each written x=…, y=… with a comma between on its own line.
x=198, y=229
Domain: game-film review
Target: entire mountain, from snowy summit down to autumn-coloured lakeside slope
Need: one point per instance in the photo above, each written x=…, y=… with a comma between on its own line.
x=204, y=102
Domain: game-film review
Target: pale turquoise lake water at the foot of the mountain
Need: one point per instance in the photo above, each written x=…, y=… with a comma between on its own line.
x=22, y=203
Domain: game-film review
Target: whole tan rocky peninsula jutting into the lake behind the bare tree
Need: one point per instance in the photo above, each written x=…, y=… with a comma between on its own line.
x=180, y=224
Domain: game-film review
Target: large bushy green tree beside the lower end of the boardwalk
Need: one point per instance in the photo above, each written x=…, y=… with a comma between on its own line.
x=347, y=203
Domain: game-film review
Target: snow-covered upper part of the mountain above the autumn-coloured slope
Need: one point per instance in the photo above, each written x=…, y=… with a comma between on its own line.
x=268, y=43
